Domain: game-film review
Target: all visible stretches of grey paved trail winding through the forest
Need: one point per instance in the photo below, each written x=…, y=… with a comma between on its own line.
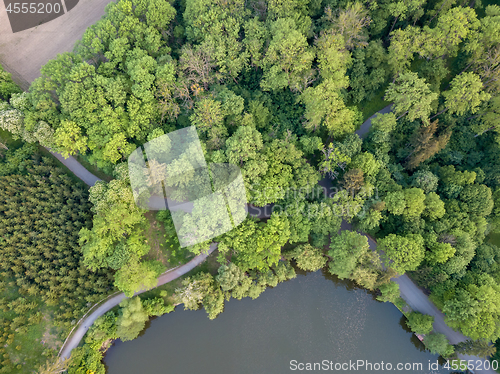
x=412, y=294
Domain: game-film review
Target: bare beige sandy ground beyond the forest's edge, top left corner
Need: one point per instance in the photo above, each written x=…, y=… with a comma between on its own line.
x=25, y=52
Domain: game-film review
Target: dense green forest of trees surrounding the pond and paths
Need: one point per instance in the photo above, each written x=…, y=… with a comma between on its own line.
x=278, y=88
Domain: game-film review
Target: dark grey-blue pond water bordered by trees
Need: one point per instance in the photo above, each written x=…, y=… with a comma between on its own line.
x=309, y=319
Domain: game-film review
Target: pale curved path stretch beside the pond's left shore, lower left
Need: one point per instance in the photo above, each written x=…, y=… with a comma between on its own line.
x=166, y=277
